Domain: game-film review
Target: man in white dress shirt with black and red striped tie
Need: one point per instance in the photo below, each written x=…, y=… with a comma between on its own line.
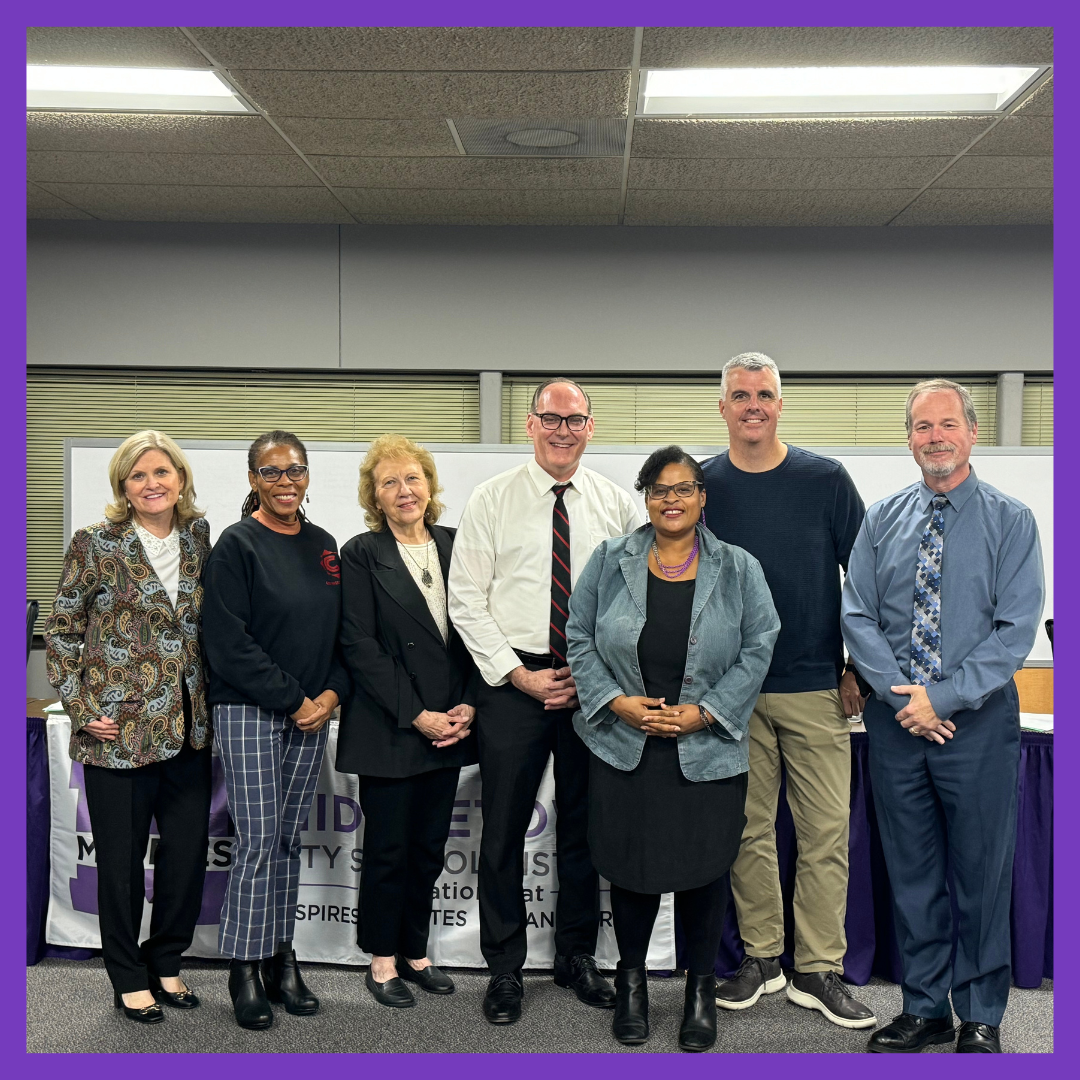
x=524, y=538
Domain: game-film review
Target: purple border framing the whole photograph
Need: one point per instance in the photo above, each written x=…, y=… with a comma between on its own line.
x=687, y=13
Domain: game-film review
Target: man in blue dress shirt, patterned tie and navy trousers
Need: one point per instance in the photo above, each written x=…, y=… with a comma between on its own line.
x=941, y=607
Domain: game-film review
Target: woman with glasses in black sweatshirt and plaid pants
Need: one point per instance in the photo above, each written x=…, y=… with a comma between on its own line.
x=271, y=618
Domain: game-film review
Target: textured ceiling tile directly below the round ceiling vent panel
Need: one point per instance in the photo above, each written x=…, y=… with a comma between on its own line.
x=547, y=173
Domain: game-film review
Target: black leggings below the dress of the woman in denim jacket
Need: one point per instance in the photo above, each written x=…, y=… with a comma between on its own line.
x=701, y=912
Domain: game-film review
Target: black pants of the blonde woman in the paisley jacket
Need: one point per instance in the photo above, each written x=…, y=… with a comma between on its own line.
x=121, y=805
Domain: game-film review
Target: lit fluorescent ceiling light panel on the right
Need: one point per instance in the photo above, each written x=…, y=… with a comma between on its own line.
x=831, y=91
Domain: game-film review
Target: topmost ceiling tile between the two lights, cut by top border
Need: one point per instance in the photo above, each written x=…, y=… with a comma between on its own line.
x=418, y=49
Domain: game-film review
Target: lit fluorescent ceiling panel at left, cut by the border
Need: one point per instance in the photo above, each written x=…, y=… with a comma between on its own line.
x=130, y=90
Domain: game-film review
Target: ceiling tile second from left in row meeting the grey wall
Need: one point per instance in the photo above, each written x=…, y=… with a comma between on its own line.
x=128, y=202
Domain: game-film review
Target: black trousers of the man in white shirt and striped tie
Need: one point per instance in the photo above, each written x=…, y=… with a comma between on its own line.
x=516, y=736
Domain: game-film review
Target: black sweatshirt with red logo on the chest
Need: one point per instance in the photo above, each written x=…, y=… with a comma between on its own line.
x=272, y=613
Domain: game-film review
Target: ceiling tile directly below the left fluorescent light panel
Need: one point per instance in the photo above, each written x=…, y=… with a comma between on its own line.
x=146, y=133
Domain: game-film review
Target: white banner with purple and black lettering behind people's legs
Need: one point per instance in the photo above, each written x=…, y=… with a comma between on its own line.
x=331, y=863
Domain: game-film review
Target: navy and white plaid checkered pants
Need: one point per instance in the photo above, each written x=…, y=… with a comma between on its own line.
x=272, y=771
